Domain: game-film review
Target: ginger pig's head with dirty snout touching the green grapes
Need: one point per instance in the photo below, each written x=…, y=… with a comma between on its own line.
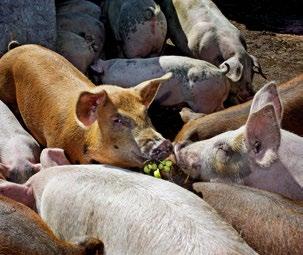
x=118, y=118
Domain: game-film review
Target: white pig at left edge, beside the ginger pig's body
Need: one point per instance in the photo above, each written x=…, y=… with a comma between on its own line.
x=19, y=151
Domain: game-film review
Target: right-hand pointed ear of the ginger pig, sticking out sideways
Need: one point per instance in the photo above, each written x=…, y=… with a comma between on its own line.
x=148, y=89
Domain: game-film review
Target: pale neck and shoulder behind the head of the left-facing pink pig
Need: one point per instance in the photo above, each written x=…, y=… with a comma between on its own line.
x=283, y=176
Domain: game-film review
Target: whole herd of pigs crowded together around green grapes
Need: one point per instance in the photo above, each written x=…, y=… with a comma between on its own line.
x=69, y=148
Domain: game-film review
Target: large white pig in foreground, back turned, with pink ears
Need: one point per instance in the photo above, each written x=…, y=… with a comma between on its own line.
x=133, y=213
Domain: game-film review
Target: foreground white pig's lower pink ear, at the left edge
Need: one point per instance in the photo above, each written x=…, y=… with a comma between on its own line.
x=22, y=193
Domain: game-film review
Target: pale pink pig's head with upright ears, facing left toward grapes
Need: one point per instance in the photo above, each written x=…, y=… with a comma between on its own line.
x=233, y=155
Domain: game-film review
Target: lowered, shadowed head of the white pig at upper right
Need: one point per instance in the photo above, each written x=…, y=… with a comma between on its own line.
x=240, y=70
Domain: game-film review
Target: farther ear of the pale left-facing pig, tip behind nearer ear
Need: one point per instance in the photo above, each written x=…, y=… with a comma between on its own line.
x=268, y=94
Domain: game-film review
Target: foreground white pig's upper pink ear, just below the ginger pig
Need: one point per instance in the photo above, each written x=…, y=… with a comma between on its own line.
x=53, y=157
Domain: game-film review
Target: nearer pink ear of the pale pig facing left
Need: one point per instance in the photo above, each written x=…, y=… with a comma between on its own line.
x=262, y=136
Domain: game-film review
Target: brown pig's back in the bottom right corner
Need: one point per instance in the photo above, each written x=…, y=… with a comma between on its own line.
x=268, y=222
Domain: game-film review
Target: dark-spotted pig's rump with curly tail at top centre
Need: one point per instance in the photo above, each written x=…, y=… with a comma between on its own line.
x=139, y=27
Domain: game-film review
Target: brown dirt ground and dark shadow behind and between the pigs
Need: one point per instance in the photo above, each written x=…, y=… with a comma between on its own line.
x=275, y=37
